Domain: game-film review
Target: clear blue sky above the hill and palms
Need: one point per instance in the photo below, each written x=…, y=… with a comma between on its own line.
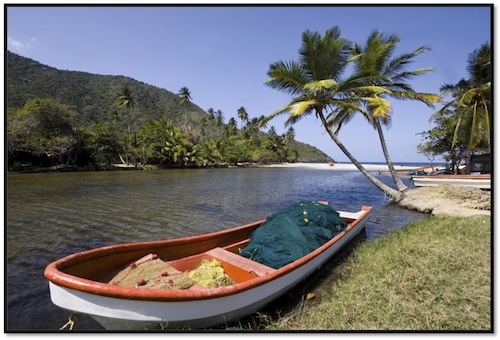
x=222, y=54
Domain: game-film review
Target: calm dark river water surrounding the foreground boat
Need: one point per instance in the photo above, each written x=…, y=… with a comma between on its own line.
x=53, y=215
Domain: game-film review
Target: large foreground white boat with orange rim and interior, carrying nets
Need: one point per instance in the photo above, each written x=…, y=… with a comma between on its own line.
x=80, y=282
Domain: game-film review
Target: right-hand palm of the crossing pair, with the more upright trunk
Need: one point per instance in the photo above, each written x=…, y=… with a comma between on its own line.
x=375, y=65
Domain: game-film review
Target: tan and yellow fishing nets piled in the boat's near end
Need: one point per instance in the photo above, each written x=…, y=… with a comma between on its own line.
x=150, y=272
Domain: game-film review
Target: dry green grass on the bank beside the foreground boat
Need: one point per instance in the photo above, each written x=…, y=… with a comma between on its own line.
x=432, y=275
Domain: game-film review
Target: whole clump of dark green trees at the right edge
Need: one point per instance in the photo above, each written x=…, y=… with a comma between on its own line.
x=463, y=124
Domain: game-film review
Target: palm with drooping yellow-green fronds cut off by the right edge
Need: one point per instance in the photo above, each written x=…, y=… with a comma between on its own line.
x=471, y=102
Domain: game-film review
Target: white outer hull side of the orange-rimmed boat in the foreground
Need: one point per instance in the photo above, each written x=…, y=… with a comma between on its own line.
x=123, y=314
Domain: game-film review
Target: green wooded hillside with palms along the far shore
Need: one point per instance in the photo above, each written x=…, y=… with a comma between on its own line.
x=75, y=118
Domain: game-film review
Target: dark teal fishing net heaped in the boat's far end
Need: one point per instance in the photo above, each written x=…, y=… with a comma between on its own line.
x=292, y=233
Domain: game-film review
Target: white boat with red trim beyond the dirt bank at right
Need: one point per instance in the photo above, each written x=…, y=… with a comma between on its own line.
x=481, y=181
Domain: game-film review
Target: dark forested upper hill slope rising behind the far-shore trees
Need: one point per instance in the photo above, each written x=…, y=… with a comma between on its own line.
x=93, y=98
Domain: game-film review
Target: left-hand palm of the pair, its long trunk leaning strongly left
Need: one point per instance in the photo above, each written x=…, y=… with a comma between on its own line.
x=314, y=82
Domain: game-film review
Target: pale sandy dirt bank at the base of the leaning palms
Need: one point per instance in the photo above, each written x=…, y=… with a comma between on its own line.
x=448, y=200
